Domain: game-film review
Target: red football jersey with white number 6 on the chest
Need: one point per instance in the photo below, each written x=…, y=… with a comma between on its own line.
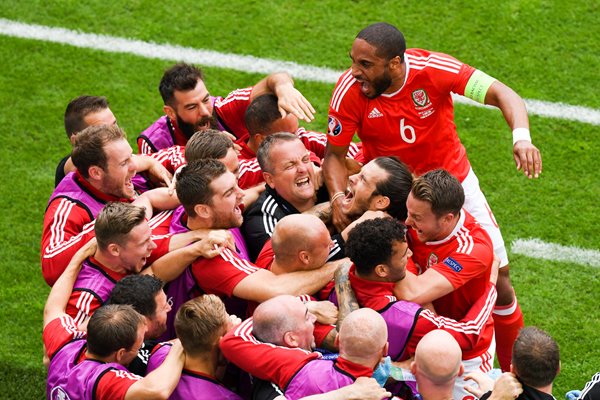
x=416, y=123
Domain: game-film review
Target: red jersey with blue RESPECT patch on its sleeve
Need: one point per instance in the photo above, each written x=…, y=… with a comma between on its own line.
x=464, y=258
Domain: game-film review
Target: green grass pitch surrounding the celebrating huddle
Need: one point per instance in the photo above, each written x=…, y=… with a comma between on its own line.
x=544, y=50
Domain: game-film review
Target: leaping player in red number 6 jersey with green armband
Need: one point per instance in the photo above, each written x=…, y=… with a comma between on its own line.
x=399, y=103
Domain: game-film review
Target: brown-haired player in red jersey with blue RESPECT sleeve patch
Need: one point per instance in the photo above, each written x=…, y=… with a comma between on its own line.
x=452, y=253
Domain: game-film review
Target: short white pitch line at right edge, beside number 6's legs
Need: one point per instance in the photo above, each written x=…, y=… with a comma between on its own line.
x=536, y=248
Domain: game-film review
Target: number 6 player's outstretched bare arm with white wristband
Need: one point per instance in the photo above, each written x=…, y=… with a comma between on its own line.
x=526, y=155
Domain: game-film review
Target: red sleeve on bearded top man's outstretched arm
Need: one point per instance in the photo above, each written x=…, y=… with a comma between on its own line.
x=231, y=111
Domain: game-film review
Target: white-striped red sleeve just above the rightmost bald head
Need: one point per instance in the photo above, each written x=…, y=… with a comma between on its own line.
x=467, y=331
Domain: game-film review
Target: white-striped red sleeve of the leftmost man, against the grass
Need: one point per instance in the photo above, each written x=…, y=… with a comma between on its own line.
x=66, y=229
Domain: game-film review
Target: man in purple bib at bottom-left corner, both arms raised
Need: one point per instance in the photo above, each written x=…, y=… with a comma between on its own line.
x=93, y=364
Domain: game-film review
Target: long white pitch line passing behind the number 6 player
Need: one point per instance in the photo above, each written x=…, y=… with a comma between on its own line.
x=243, y=63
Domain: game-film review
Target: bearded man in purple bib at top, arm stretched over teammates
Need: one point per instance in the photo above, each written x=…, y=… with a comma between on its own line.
x=189, y=107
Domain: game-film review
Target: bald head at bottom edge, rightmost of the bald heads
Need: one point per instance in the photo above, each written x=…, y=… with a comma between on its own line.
x=437, y=364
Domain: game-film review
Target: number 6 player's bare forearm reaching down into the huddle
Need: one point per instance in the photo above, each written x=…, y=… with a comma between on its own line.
x=335, y=174
